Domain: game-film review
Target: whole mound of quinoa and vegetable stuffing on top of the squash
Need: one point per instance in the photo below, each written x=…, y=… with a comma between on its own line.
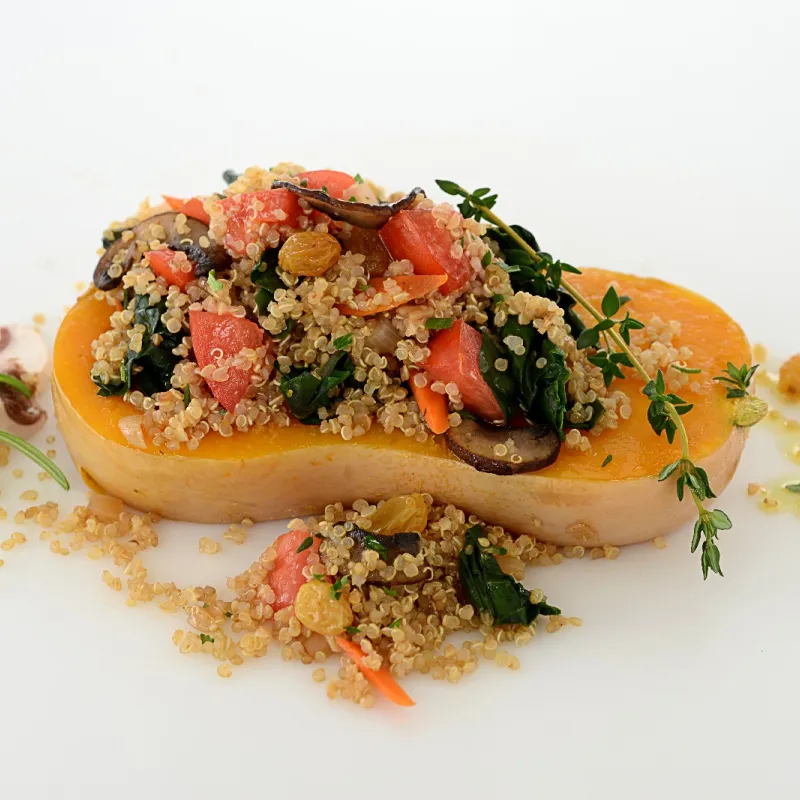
x=253, y=307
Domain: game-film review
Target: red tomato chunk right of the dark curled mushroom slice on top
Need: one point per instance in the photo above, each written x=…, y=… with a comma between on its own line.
x=413, y=235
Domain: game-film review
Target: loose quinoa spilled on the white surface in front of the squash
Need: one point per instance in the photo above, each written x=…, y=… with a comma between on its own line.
x=425, y=627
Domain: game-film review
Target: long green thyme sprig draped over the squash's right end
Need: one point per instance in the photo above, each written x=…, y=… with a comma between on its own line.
x=665, y=410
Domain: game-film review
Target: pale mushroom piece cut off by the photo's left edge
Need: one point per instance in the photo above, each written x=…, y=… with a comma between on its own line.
x=24, y=356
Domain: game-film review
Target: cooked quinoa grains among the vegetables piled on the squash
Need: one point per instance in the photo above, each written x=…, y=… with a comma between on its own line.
x=303, y=321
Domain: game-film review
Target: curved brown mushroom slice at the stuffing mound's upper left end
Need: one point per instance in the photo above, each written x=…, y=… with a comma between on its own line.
x=164, y=228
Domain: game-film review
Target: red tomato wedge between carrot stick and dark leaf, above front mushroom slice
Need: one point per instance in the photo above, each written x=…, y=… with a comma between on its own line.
x=455, y=357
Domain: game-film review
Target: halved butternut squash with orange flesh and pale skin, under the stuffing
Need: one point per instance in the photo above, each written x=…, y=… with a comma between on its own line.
x=272, y=472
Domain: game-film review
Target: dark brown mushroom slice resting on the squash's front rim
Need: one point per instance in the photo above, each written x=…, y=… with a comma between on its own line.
x=476, y=444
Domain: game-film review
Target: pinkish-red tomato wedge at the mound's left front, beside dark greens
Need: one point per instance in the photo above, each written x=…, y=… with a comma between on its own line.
x=213, y=334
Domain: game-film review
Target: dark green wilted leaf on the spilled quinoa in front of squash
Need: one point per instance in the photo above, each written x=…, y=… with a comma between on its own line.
x=493, y=593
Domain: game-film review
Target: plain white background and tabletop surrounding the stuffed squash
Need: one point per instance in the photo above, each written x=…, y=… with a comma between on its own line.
x=658, y=138
